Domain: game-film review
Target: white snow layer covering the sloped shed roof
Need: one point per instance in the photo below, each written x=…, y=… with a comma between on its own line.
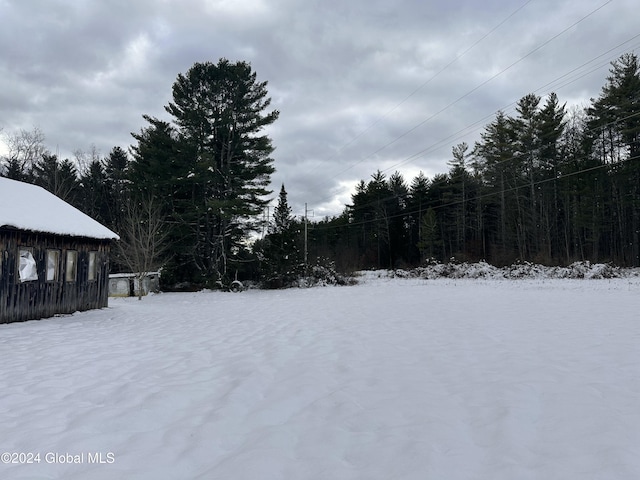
x=29, y=207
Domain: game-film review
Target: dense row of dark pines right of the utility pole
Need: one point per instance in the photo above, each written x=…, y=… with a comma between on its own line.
x=547, y=185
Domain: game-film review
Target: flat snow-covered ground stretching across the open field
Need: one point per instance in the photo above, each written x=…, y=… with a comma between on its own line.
x=390, y=379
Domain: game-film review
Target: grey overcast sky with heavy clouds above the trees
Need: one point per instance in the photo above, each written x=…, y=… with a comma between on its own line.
x=361, y=85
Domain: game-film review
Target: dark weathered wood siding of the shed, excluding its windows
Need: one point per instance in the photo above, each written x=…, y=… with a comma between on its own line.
x=20, y=301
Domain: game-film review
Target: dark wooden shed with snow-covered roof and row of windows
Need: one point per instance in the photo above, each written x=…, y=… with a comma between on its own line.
x=54, y=259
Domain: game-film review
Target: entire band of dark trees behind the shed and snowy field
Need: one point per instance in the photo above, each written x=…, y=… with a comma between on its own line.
x=548, y=184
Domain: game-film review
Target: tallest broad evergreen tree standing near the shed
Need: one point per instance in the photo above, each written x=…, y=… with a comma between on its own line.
x=219, y=112
